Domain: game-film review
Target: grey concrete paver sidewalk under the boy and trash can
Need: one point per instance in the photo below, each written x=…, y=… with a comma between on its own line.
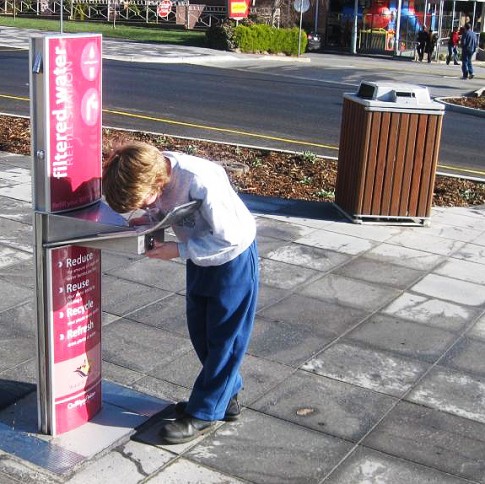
x=366, y=363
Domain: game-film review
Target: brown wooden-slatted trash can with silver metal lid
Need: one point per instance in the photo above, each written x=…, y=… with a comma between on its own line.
x=389, y=144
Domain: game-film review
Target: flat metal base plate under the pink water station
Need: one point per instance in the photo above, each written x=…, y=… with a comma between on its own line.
x=123, y=411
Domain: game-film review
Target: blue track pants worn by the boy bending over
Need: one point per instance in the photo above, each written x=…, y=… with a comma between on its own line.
x=221, y=304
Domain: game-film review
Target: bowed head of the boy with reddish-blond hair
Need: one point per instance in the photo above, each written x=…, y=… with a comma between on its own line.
x=134, y=173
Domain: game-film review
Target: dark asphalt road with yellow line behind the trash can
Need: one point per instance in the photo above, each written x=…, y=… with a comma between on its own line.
x=295, y=108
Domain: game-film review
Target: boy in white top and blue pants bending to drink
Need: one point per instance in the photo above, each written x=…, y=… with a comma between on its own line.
x=218, y=244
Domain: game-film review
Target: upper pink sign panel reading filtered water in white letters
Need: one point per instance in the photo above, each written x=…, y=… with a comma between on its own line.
x=74, y=120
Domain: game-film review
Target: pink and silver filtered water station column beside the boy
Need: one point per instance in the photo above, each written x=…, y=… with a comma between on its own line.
x=65, y=84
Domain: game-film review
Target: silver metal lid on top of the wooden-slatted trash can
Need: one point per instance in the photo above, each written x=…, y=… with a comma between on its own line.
x=394, y=96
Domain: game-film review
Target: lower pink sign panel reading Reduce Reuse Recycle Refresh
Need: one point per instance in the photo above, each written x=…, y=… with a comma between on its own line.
x=75, y=334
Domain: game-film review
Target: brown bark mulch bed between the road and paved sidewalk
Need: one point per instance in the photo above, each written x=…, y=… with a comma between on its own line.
x=303, y=176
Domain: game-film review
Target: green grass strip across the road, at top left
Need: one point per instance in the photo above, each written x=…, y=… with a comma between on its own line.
x=143, y=33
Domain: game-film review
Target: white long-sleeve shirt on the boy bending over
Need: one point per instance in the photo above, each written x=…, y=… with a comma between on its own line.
x=222, y=227
